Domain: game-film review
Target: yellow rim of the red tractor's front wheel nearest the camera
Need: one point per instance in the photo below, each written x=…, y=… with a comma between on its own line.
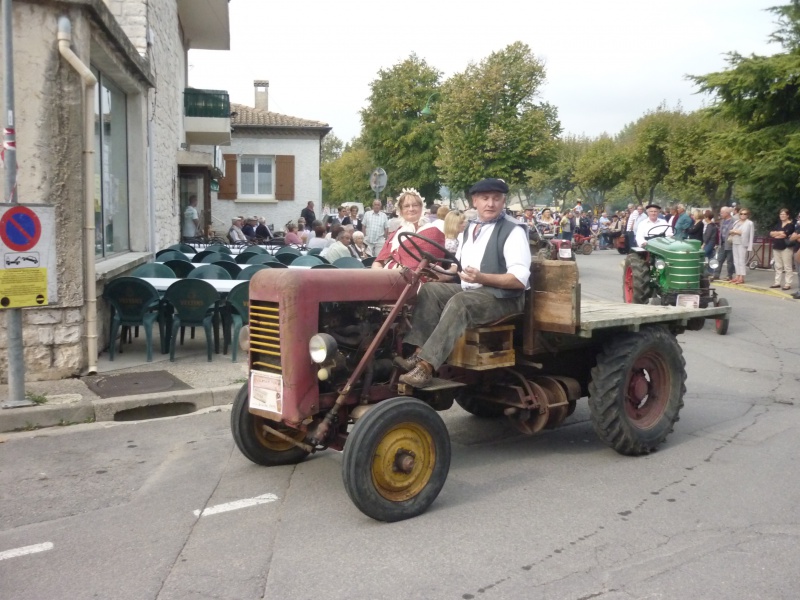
x=403, y=462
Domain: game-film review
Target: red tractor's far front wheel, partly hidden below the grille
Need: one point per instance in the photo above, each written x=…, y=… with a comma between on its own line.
x=257, y=444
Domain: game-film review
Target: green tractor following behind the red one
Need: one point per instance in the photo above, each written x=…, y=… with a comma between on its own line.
x=671, y=272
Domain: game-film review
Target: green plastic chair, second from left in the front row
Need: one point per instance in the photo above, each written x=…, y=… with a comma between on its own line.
x=194, y=303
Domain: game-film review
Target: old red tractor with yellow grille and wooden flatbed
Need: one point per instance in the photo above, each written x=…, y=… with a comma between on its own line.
x=321, y=344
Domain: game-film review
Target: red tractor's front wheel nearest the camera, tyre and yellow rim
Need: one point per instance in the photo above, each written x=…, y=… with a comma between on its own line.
x=396, y=459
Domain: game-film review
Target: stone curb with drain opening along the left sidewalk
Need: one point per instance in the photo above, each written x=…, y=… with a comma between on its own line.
x=185, y=401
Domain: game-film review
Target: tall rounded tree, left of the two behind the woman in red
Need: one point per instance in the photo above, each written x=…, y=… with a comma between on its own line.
x=397, y=138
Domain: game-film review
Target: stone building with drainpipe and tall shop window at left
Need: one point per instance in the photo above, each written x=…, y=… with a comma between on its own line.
x=145, y=163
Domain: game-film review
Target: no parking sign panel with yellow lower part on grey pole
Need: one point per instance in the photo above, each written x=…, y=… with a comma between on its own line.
x=27, y=255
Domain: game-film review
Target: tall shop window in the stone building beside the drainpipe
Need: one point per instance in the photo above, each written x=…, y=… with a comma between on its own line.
x=112, y=233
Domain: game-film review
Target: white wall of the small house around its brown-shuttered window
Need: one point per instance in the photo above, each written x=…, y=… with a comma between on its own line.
x=277, y=212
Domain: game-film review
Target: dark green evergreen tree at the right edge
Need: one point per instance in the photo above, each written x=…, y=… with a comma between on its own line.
x=761, y=94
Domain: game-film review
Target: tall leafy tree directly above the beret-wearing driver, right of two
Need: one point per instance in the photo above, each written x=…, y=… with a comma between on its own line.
x=491, y=124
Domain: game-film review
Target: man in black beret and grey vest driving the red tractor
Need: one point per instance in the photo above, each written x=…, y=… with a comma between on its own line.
x=496, y=260
